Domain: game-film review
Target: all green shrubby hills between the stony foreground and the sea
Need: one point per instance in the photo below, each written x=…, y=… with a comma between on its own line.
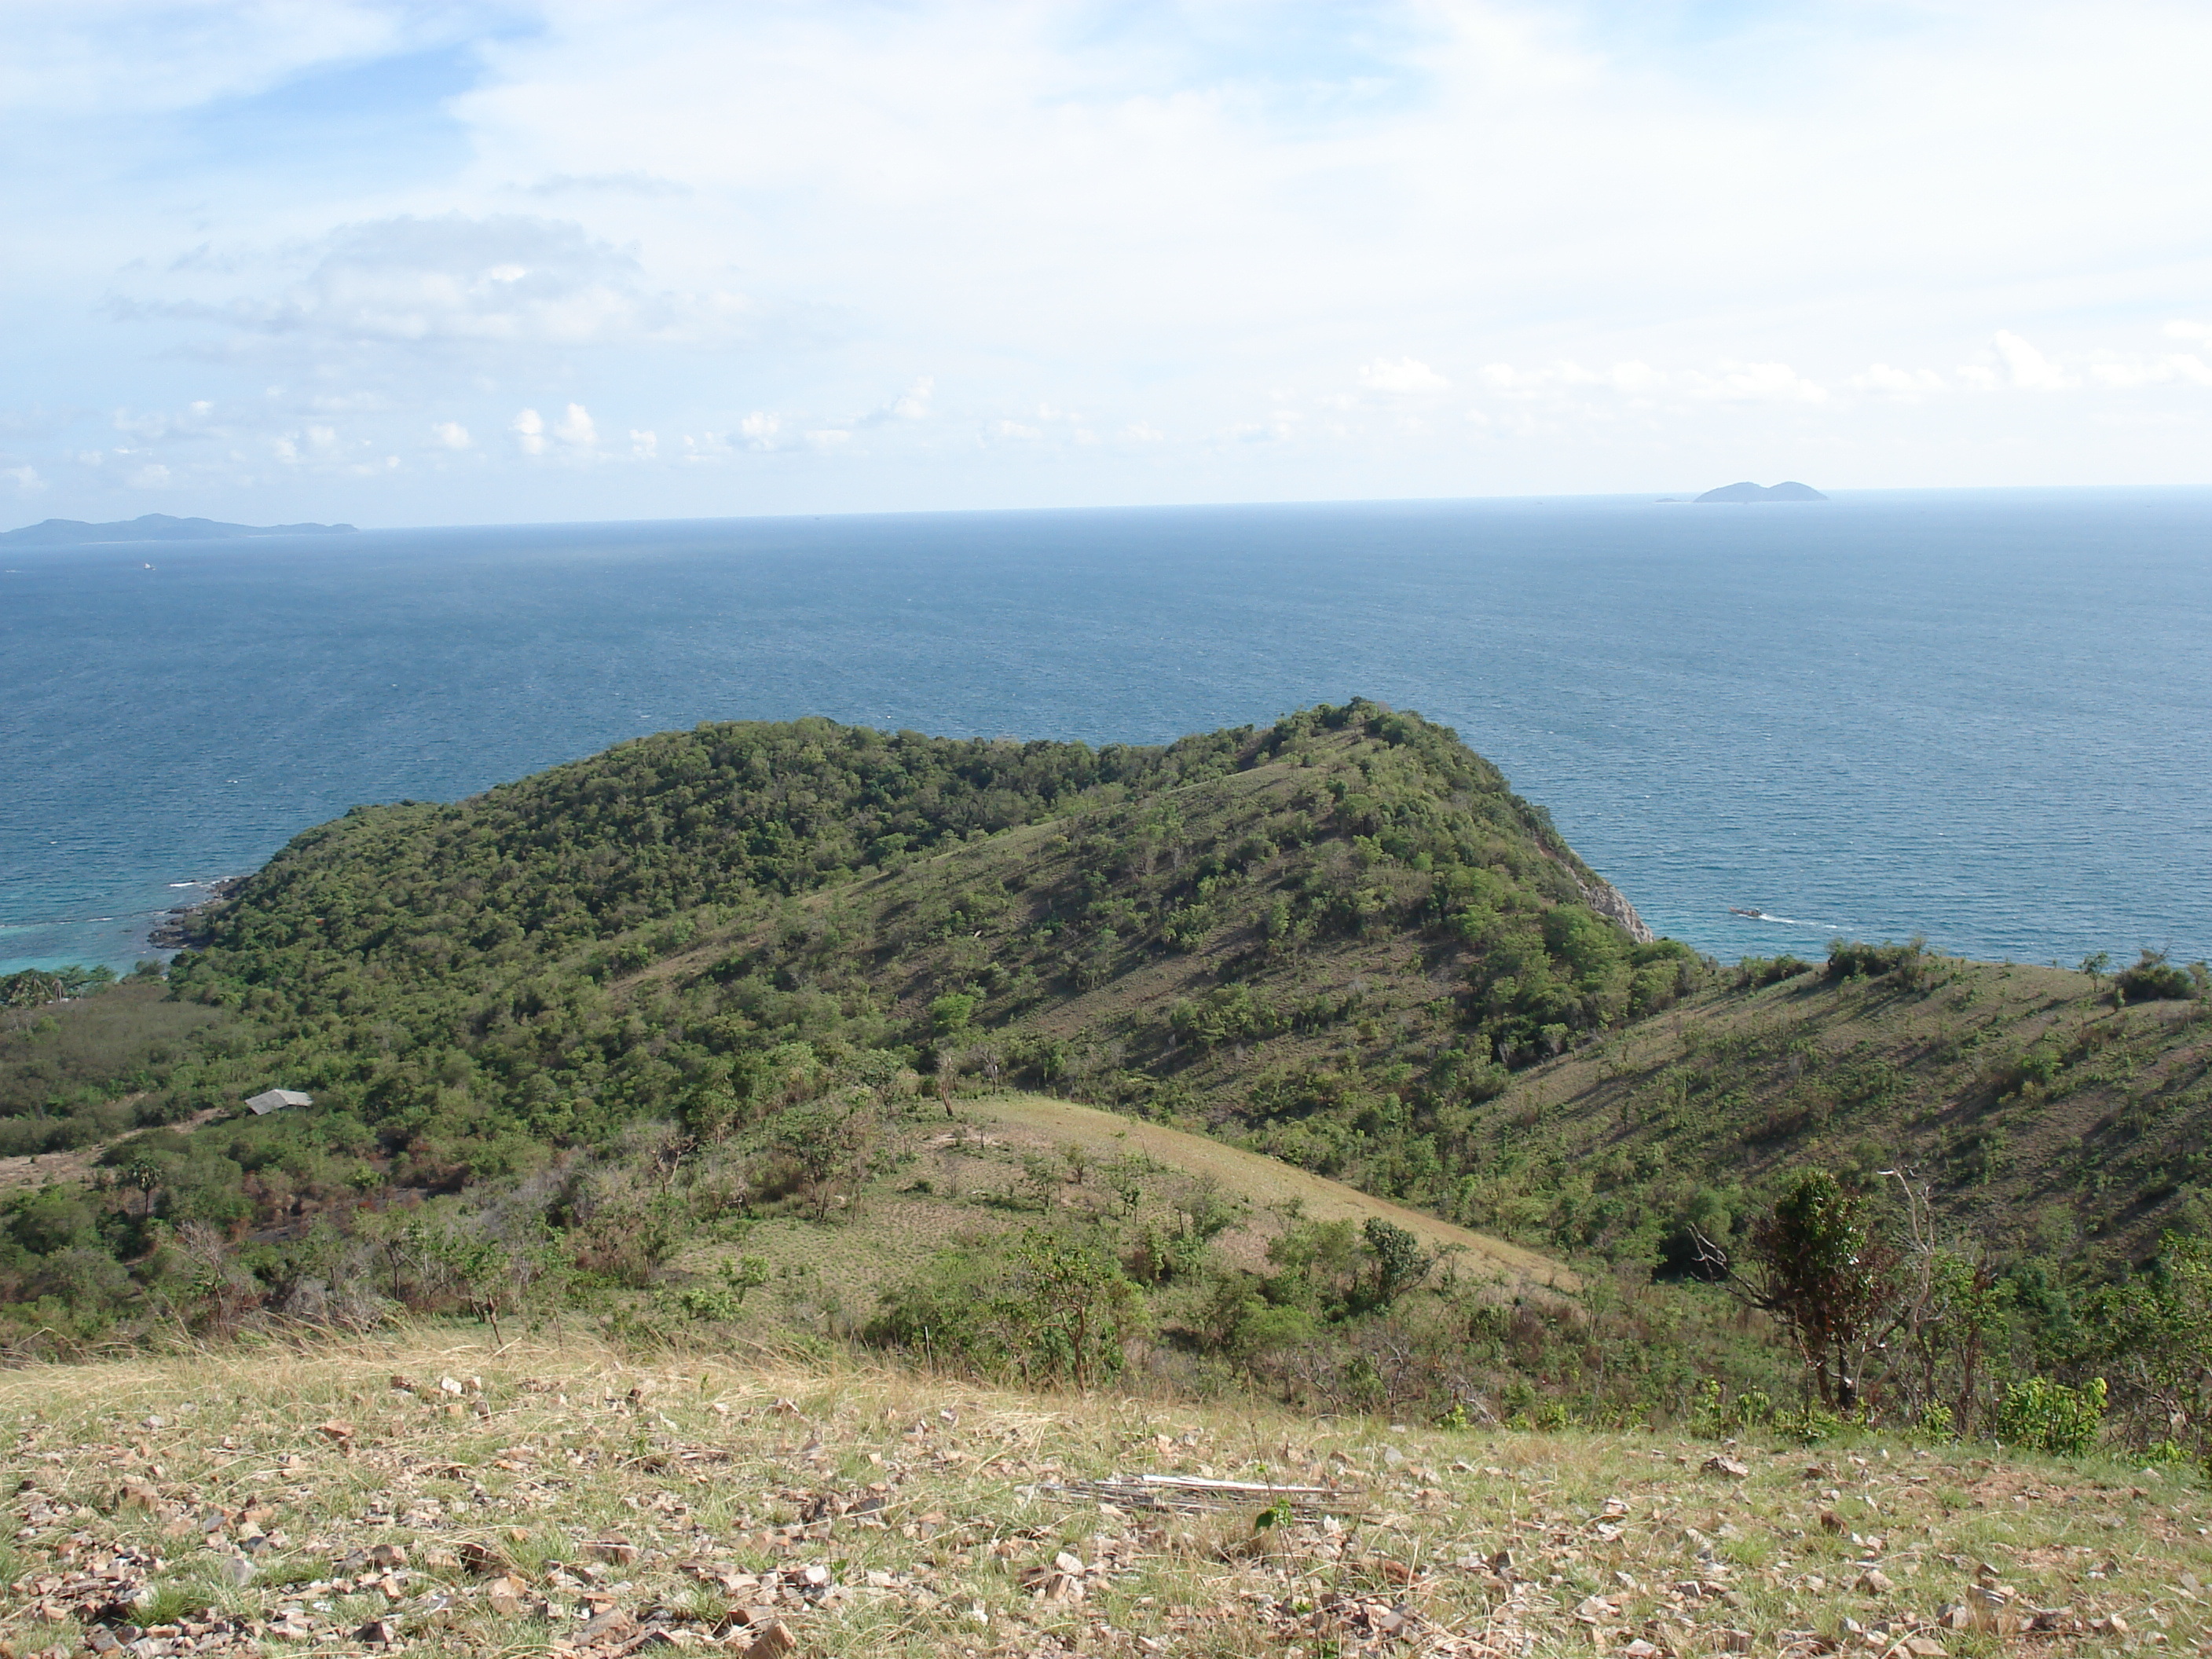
x=729, y=1034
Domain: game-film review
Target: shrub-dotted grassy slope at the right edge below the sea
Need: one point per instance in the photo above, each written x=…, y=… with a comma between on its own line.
x=1735, y=1087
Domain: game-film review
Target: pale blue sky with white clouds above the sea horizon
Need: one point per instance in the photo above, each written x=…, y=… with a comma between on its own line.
x=505, y=262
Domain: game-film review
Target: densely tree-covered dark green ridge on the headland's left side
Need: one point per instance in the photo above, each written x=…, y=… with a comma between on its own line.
x=654, y=828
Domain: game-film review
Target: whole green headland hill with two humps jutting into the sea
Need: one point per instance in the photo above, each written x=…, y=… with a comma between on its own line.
x=618, y=937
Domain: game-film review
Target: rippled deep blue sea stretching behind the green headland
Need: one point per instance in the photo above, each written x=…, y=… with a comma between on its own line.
x=1976, y=716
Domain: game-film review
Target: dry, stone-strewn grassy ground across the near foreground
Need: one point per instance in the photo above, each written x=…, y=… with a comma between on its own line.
x=570, y=1496
